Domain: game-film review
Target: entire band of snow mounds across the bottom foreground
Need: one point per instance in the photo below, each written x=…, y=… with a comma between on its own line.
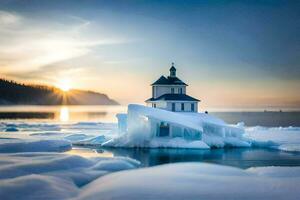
x=60, y=176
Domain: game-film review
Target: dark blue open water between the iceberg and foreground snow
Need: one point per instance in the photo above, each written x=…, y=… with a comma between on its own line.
x=236, y=157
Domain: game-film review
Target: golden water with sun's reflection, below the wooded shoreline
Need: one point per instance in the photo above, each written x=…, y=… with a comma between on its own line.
x=66, y=113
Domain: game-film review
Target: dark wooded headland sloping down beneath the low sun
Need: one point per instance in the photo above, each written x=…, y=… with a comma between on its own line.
x=13, y=94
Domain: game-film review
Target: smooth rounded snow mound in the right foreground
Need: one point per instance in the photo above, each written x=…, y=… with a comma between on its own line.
x=195, y=181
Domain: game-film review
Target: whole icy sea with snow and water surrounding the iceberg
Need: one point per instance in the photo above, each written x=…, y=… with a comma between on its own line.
x=48, y=150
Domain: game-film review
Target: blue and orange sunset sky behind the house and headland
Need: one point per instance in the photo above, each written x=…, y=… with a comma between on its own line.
x=233, y=54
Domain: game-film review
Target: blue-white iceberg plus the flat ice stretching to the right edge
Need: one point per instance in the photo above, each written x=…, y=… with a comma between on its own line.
x=139, y=128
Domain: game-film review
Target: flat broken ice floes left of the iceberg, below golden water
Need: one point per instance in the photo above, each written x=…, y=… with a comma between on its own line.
x=83, y=133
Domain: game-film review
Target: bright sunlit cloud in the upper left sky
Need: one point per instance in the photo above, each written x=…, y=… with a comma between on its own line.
x=35, y=43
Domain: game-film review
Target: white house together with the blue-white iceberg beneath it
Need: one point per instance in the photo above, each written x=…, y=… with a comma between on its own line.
x=177, y=124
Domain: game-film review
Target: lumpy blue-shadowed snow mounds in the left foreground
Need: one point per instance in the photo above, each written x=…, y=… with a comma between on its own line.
x=53, y=175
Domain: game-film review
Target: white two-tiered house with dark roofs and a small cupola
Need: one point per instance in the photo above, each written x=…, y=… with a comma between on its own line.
x=170, y=94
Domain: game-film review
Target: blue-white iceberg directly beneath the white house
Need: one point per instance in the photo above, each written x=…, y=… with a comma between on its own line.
x=153, y=128
